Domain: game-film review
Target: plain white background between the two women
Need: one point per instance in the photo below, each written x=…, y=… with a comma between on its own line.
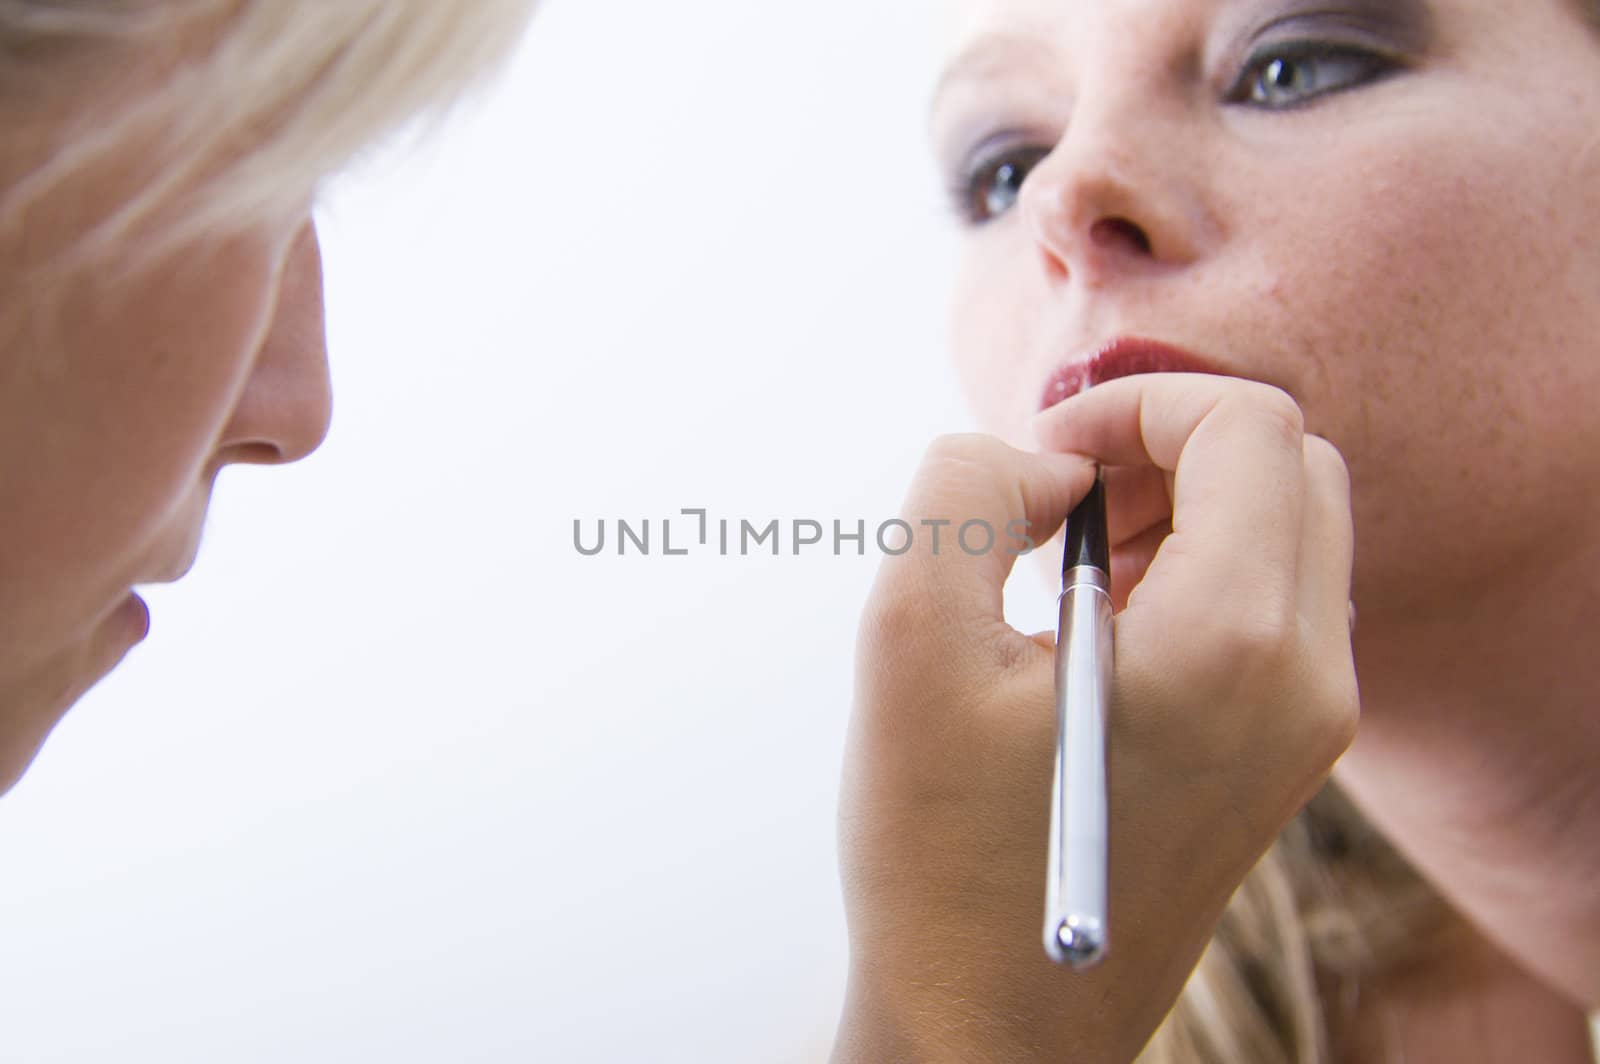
x=401, y=777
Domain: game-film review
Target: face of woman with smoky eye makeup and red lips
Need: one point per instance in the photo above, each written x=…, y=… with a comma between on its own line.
x=1386, y=207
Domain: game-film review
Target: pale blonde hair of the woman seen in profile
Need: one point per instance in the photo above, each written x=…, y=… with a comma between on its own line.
x=239, y=106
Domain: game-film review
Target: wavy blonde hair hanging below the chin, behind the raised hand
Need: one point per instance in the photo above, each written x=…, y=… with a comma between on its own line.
x=1329, y=910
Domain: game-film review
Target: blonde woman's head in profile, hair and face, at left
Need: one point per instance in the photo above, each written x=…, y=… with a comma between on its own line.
x=161, y=284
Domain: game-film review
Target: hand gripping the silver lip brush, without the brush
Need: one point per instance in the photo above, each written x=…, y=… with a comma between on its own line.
x=1234, y=695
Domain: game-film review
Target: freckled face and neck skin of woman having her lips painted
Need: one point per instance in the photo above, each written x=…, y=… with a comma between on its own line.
x=1415, y=262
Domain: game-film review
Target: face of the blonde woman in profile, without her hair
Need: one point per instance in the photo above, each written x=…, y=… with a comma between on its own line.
x=121, y=399
